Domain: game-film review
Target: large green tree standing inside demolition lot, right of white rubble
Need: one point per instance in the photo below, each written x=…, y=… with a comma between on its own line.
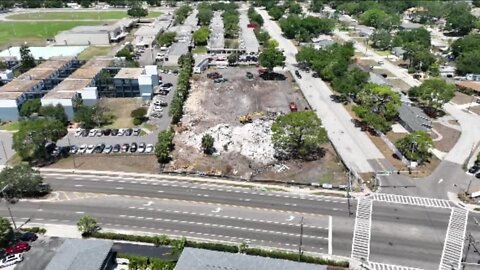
x=298, y=135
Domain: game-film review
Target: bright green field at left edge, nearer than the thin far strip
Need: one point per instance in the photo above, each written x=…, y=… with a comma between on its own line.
x=14, y=33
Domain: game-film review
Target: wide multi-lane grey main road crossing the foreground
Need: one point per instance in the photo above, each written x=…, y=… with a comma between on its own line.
x=233, y=214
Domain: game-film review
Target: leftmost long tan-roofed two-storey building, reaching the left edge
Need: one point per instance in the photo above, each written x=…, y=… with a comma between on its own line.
x=33, y=84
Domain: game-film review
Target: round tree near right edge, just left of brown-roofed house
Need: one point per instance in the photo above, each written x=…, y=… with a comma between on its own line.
x=433, y=93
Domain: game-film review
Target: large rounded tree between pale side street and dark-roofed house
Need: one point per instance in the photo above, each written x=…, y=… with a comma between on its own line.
x=378, y=106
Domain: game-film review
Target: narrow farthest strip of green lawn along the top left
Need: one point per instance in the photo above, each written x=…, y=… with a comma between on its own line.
x=76, y=15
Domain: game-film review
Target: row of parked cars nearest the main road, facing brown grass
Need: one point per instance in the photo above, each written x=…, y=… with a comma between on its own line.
x=102, y=148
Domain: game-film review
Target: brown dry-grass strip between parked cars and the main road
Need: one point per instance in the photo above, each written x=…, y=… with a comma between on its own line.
x=127, y=163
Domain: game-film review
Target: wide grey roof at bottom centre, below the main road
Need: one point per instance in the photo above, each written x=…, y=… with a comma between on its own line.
x=201, y=259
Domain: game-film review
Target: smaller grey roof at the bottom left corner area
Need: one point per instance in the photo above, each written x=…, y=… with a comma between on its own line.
x=79, y=254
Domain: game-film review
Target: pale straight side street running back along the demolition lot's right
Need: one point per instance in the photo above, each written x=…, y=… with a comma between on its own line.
x=354, y=146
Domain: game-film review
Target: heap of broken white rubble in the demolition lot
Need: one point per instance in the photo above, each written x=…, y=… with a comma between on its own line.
x=252, y=140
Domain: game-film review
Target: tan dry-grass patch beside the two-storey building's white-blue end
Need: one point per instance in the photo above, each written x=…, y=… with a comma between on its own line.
x=121, y=108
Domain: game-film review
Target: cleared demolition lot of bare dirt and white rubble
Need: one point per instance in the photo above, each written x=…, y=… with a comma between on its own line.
x=237, y=107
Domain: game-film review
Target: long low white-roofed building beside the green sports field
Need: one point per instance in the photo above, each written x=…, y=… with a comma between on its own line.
x=95, y=35
